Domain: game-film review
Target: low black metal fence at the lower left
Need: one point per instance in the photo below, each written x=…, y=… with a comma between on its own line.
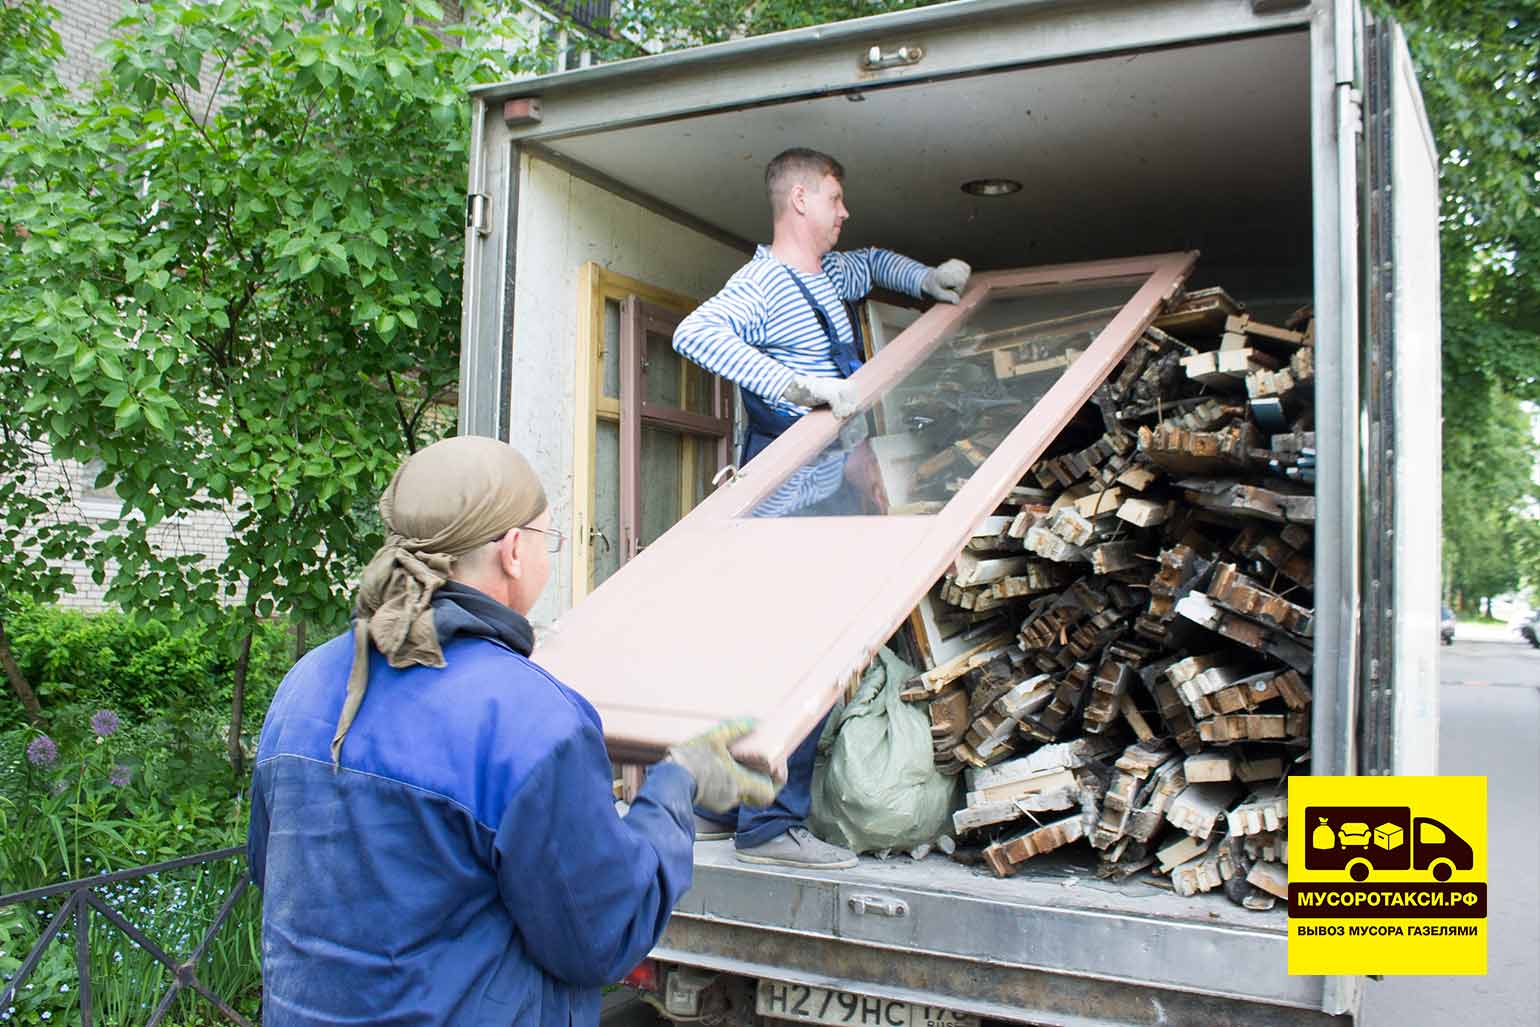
x=82, y=902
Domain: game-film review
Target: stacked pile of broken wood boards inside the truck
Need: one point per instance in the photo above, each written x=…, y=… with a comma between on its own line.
x=1139, y=618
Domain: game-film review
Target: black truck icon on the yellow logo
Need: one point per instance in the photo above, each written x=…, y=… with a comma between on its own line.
x=1365, y=838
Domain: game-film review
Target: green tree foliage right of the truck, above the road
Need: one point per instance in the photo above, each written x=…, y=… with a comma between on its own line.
x=1479, y=65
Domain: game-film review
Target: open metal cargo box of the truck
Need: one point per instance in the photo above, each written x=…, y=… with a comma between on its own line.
x=1282, y=141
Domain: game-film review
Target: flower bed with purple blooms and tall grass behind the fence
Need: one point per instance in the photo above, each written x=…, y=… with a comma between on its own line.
x=104, y=792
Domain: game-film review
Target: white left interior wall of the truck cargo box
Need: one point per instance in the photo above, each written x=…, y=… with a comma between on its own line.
x=566, y=222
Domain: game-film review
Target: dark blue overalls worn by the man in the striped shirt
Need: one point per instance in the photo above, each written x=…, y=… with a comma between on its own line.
x=791, y=808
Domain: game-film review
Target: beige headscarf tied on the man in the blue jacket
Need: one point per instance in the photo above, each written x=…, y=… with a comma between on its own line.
x=446, y=501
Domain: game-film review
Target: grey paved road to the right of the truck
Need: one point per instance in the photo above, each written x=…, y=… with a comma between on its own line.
x=1490, y=726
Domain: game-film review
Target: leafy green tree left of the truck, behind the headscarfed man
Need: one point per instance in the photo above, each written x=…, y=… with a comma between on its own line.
x=233, y=276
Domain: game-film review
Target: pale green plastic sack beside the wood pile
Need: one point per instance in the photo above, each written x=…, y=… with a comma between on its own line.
x=875, y=783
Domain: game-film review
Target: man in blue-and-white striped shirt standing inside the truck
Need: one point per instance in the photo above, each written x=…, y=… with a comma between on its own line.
x=780, y=330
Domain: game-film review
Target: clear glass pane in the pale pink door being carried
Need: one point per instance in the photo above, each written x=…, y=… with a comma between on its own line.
x=951, y=413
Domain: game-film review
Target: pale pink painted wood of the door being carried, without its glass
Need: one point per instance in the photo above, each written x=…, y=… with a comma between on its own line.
x=811, y=600
